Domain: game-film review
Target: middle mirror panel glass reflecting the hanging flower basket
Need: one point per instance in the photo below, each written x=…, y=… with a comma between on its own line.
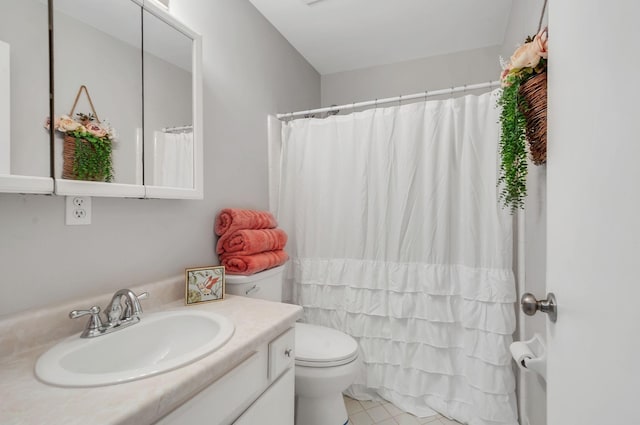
x=98, y=45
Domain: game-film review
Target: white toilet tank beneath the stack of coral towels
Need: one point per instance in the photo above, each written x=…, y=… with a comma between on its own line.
x=266, y=285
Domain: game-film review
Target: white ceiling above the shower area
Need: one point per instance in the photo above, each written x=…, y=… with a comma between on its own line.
x=341, y=35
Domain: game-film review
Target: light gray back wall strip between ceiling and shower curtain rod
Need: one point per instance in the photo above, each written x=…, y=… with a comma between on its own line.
x=438, y=72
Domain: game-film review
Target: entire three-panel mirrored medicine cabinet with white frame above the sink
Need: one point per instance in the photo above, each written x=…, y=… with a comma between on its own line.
x=127, y=65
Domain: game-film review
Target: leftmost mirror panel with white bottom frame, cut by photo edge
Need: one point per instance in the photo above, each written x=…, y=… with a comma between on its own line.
x=24, y=97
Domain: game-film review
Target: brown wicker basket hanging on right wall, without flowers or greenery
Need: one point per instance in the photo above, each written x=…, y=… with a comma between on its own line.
x=534, y=91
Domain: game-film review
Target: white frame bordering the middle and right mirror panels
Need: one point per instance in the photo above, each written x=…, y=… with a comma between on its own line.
x=87, y=188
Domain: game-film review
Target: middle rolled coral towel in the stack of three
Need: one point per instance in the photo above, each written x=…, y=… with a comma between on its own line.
x=248, y=241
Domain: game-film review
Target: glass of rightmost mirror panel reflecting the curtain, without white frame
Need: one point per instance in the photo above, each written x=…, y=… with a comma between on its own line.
x=168, y=115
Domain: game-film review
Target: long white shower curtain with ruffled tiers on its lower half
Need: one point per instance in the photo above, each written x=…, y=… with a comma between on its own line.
x=397, y=237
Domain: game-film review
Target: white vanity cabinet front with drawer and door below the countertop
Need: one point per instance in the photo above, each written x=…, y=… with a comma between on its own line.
x=258, y=391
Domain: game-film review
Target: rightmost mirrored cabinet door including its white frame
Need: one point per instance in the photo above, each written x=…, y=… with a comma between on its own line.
x=172, y=62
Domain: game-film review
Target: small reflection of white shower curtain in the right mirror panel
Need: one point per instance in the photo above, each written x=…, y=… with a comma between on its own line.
x=173, y=159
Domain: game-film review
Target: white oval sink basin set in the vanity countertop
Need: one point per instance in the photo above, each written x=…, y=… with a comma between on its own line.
x=158, y=343
